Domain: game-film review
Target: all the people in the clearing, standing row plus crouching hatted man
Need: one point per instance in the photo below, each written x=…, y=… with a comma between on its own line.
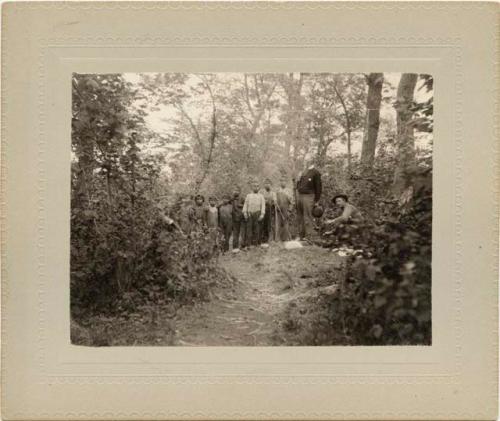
x=263, y=214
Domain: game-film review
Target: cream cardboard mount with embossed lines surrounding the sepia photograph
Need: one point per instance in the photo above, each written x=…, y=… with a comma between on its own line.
x=44, y=376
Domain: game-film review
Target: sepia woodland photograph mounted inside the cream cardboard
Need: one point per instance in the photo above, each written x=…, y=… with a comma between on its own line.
x=251, y=209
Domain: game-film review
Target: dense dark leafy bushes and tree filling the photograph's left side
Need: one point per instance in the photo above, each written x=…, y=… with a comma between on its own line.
x=121, y=242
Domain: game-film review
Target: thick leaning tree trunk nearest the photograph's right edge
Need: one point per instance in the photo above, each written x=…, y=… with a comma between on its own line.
x=405, y=142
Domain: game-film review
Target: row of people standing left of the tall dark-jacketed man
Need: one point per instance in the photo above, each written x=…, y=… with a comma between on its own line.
x=251, y=221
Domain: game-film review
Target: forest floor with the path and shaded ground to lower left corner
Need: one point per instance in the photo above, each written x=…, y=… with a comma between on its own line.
x=249, y=309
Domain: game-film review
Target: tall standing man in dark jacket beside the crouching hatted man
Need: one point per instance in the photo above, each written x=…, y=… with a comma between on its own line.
x=309, y=192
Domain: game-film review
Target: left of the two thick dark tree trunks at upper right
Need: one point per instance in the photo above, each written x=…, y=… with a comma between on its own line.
x=375, y=81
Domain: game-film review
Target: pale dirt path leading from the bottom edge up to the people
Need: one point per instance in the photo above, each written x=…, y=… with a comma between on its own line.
x=265, y=280
